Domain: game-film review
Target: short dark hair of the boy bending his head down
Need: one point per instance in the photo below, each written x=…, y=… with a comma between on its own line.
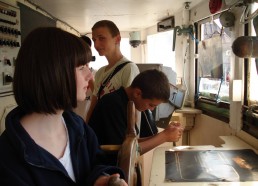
x=153, y=83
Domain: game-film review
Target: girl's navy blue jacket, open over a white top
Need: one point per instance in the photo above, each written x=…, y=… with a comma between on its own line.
x=23, y=162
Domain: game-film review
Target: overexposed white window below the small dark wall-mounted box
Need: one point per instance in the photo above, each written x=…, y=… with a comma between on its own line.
x=159, y=48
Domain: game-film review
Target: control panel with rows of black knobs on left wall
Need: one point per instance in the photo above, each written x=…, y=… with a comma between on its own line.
x=10, y=41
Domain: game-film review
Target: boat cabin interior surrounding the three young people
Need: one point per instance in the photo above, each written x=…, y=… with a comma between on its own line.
x=207, y=48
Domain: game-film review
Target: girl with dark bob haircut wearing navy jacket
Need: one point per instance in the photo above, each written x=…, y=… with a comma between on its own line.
x=44, y=142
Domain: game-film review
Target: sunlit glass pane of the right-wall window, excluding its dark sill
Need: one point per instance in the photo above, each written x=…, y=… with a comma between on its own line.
x=214, y=76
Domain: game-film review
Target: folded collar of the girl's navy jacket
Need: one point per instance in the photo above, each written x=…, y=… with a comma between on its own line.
x=30, y=151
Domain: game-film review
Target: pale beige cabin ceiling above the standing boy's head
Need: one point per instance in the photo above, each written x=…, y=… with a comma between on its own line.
x=129, y=15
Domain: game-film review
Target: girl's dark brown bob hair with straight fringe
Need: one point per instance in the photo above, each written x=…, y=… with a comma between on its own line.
x=44, y=77
